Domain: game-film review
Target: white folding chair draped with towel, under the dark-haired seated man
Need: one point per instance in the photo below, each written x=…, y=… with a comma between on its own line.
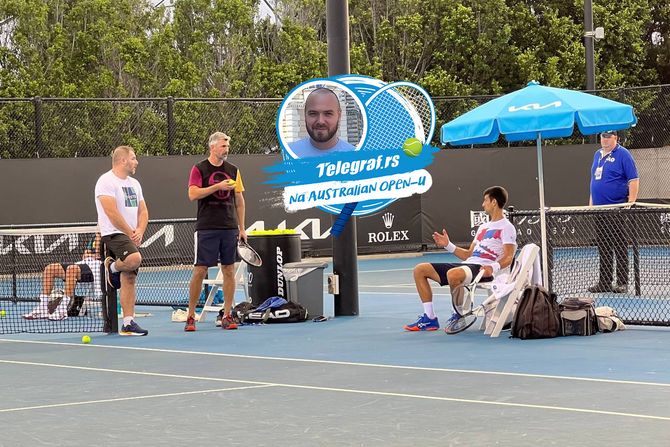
x=504, y=291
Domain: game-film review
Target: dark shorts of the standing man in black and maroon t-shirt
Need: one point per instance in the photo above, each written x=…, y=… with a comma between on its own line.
x=216, y=246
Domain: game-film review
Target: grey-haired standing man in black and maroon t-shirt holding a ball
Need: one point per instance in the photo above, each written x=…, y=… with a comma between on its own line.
x=217, y=186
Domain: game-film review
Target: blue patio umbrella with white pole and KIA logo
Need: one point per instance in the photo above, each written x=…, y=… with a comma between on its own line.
x=533, y=113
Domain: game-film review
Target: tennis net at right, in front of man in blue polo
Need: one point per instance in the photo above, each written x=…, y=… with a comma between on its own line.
x=618, y=255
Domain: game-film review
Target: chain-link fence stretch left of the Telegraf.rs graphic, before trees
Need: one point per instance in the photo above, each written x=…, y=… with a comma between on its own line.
x=64, y=128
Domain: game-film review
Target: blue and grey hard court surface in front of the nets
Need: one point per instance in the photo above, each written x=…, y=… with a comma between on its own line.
x=349, y=381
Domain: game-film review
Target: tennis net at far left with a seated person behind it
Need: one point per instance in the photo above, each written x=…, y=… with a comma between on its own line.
x=50, y=279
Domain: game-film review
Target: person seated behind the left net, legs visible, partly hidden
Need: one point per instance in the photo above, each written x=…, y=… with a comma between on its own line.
x=85, y=271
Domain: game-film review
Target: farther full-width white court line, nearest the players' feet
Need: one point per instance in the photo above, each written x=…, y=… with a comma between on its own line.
x=336, y=362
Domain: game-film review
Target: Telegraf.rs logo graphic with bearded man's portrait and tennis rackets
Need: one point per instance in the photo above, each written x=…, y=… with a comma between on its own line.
x=389, y=150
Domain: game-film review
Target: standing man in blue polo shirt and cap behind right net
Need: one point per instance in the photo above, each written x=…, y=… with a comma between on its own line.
x=614, y=179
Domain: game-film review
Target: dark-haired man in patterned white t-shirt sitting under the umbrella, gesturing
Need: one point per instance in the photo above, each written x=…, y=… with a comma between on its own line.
x=491, y=250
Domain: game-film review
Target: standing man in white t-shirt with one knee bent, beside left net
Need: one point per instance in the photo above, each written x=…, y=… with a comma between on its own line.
x=122, y=219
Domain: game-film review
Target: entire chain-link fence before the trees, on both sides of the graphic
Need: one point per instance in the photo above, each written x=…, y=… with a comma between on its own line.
x=62, y=128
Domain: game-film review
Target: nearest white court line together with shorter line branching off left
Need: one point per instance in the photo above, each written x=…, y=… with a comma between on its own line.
x=320, y=388
